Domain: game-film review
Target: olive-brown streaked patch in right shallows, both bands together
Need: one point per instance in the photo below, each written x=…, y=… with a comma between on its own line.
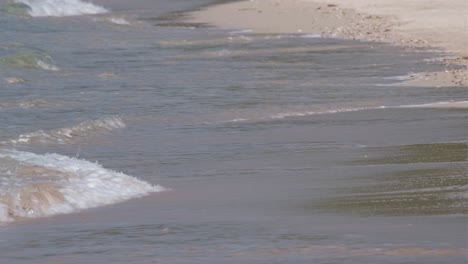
x=411, y=188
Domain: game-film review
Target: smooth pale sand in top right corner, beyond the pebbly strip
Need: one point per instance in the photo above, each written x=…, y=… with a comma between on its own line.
x=442, y=23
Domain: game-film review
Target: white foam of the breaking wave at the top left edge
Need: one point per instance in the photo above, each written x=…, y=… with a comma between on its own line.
x=61, y=8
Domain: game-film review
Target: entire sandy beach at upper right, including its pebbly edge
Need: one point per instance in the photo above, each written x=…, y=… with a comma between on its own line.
x=439, y=24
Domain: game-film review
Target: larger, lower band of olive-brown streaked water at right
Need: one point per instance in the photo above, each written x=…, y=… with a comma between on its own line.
x=437, y=191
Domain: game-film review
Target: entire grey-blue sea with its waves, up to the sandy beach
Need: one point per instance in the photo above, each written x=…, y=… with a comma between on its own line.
x=128, y=135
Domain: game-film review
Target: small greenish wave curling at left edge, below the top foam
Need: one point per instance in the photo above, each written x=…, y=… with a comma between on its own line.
x=29, y=59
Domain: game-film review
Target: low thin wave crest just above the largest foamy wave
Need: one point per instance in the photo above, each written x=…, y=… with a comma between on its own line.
x=70, y=134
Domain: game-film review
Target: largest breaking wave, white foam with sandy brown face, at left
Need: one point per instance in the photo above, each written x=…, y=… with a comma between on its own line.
x=34, y=185
